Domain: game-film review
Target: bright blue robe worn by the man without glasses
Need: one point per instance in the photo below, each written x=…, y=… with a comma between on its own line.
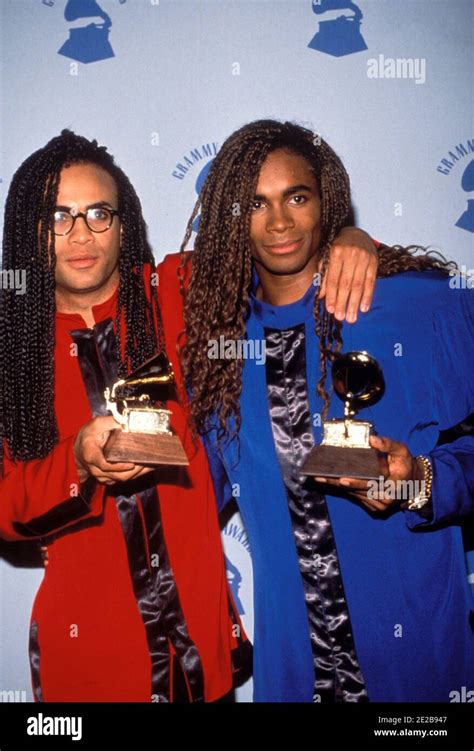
x=404, y=577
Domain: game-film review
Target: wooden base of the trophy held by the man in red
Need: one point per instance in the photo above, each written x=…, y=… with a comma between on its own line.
x=145, y=448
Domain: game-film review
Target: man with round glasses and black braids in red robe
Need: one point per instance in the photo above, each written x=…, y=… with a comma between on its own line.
x=134, y=604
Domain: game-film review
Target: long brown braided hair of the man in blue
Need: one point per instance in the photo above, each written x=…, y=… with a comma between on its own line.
x=216, y=302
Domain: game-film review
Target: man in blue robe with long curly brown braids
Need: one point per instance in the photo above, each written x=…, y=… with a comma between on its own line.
x=356, y=598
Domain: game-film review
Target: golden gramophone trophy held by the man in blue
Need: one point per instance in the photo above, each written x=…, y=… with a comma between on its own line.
x=345, y=450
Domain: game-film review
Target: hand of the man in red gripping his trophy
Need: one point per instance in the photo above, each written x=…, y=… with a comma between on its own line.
x=90, y=459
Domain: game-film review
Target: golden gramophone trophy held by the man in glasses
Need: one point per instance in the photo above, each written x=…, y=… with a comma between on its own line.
x=145, y=436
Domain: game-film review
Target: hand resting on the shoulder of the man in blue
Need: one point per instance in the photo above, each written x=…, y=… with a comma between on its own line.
x=349, y=282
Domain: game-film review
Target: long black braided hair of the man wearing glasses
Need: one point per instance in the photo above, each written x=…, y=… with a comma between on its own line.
x=28, y=425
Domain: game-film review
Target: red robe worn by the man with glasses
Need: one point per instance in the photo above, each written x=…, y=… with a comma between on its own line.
x=97, y=622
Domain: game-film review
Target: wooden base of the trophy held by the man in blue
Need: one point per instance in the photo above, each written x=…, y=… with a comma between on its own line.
x=341, y=461
